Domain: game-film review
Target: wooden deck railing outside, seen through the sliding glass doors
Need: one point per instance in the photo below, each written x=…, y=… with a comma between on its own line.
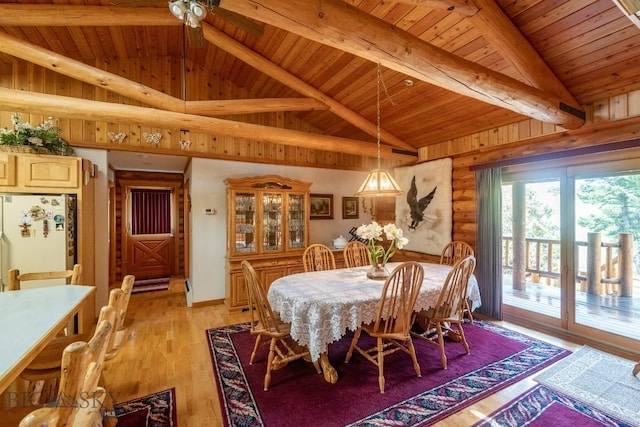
x=542, y=263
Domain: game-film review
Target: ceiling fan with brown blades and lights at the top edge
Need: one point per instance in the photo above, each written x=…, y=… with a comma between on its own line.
x=191, y=12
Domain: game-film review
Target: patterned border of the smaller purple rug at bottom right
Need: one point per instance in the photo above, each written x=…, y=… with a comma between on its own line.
x=531, y=404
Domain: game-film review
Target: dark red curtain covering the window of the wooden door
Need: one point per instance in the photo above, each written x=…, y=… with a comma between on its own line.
x=150, y=211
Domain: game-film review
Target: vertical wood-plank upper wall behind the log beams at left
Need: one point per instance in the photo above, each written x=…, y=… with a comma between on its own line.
x=165, y=74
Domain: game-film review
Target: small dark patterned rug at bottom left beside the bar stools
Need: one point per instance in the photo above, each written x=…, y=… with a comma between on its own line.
x=154, y=410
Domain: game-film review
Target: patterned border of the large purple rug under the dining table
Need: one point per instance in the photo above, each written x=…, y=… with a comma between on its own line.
x=239, y=406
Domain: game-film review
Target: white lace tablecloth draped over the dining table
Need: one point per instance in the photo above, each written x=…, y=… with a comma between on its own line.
x=322, y=305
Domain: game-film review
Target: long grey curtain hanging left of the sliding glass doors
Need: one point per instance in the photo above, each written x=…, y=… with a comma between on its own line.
x=489, y=240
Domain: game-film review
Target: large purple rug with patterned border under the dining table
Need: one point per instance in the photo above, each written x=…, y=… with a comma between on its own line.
x=298, y=396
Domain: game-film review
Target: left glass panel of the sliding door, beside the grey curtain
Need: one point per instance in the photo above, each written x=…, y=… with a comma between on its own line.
x=532, y=247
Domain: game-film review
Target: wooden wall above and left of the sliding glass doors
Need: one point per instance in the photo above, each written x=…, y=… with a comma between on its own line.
x=611, y=120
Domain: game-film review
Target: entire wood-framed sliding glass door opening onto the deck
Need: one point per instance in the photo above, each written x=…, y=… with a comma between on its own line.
x=571, y=248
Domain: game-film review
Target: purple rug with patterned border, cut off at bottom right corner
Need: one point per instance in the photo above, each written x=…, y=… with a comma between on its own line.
x=542, y=407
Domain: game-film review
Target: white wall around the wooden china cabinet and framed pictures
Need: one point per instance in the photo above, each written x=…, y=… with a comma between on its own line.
x=209, y=232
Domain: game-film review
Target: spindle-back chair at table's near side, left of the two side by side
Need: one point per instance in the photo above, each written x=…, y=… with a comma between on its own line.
x=392, y=325
